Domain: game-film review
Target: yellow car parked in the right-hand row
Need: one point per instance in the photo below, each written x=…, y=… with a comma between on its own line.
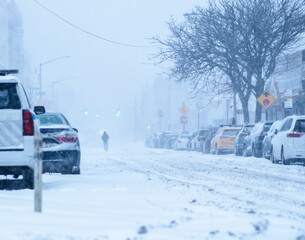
x=223, y=141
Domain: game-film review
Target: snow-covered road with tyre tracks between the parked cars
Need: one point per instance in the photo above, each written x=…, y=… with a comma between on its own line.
x=139, y=193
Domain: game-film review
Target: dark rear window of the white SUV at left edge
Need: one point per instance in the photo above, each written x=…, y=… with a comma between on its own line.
x=9, y=98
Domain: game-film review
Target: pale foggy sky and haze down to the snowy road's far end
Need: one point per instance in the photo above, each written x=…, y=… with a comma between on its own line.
x=95, y=78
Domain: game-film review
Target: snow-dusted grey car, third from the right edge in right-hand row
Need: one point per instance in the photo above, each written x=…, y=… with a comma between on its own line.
x=254, y=141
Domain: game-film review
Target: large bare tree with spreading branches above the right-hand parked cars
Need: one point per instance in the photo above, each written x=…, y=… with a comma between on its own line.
x=239, y=38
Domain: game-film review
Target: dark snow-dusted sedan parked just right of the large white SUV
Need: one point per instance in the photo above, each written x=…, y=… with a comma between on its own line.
x=61, y=147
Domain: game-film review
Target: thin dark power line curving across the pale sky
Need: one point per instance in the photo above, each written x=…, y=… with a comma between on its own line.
x=87, y=32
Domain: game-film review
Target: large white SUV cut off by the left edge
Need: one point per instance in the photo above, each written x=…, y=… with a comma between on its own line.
x=18, y=127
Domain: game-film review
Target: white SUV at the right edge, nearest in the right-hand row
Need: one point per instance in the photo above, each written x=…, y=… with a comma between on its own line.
x=288, y=146
